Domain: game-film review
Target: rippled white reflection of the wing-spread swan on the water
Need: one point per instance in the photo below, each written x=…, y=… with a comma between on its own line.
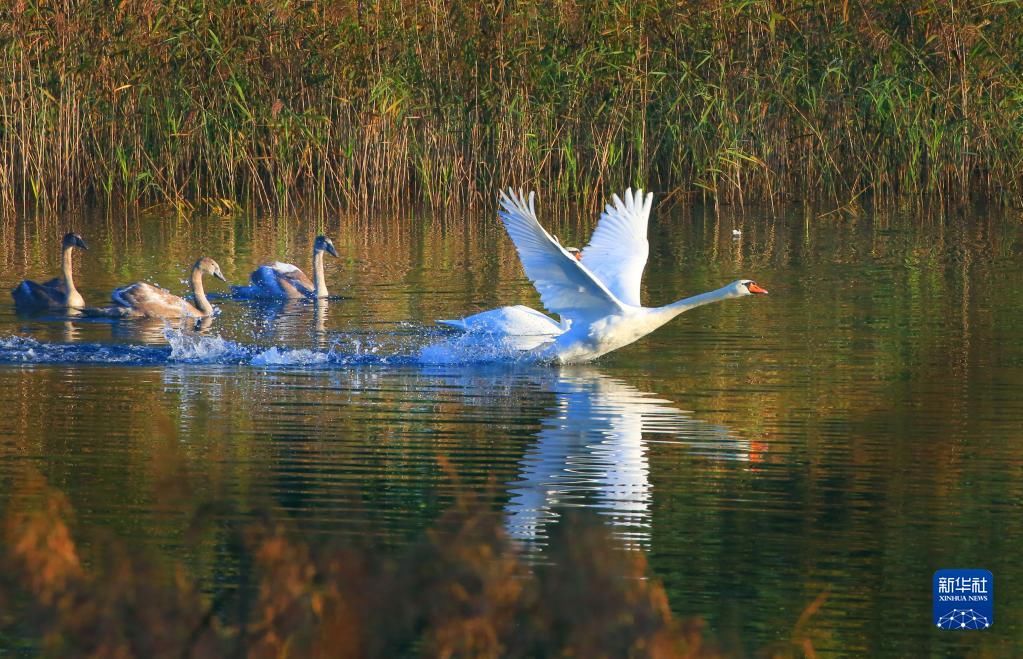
x=593, y=450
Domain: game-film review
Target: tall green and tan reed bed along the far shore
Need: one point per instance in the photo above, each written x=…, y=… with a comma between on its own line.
x=353, y=104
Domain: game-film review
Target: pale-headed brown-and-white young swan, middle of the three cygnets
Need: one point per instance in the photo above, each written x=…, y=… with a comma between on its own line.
x=146, y=300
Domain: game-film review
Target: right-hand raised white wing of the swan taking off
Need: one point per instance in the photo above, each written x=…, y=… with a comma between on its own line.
x=618, y=250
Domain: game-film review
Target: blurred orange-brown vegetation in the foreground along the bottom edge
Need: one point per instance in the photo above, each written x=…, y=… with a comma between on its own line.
x=462, y=591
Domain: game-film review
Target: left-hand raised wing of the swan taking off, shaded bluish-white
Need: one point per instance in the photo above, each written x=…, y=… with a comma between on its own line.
x=566, y=286
